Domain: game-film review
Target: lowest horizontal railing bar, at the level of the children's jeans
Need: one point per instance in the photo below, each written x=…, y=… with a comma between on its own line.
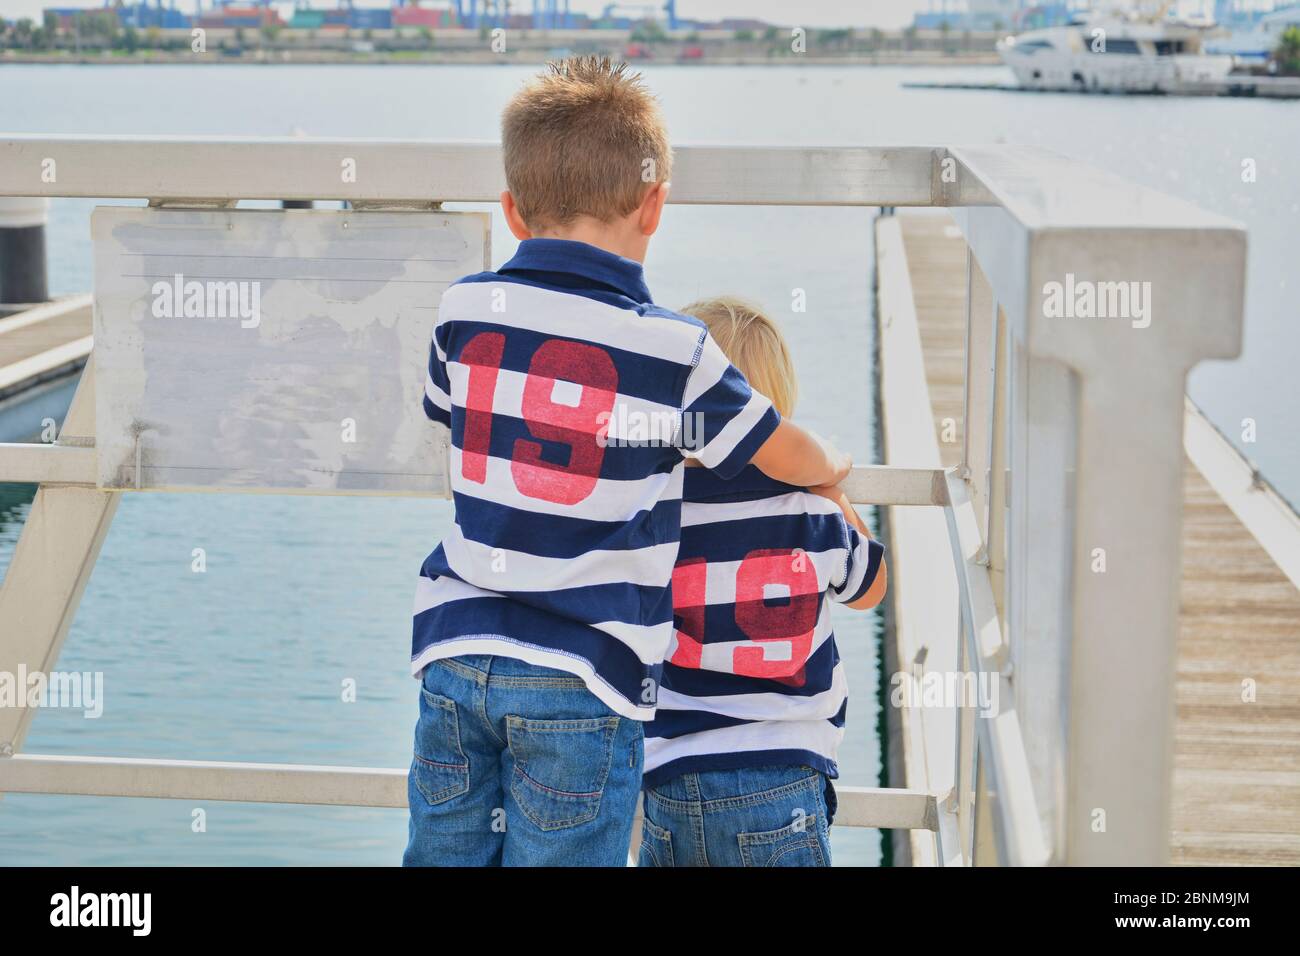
x=331, y=786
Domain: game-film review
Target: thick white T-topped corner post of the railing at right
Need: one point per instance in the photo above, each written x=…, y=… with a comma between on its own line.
x=1112, y=295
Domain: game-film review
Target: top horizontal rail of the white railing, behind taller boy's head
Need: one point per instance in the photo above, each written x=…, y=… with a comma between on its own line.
x=379, y=171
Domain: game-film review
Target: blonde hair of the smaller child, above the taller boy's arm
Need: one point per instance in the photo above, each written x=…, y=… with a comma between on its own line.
x=755, y=344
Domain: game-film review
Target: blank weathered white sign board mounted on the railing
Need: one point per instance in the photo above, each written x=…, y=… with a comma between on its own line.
x=267, y=351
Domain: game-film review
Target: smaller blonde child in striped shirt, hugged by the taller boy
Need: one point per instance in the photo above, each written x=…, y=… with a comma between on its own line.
x=743, y=750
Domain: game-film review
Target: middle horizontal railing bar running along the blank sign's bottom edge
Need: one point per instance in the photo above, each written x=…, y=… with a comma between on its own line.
x=33, y=464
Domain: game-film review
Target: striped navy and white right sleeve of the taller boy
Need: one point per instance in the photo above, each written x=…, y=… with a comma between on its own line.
x=723, y=421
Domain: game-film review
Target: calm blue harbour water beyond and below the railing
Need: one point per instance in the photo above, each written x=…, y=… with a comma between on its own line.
x=248, y=660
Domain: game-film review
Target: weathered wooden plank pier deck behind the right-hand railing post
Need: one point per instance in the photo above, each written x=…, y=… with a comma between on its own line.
x=1237, y=780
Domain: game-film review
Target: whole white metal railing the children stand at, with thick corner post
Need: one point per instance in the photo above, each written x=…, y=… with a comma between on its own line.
x=1073, y=443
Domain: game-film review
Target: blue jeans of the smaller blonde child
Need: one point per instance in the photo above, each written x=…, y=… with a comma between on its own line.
x=777, y=816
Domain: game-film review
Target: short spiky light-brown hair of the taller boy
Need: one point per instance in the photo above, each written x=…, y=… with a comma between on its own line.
x=586, y=139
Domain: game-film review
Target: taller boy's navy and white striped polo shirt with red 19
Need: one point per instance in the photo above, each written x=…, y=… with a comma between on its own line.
x=573, y=403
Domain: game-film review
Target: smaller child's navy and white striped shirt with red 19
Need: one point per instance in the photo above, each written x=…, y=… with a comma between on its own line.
x=753, y=677
